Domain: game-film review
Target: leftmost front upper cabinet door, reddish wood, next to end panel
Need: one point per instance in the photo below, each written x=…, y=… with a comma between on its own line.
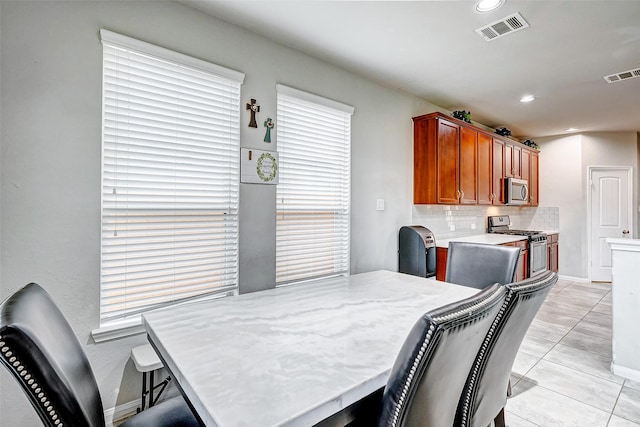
x=448, y=159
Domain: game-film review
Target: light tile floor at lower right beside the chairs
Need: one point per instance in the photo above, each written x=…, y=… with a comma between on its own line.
x=562, y=374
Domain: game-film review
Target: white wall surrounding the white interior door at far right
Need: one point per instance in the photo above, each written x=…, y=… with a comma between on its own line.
x=564, y=161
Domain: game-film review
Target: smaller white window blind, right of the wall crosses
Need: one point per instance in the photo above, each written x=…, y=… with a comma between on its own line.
x=313, y=195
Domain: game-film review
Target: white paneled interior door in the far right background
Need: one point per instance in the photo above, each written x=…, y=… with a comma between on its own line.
x=610, y=215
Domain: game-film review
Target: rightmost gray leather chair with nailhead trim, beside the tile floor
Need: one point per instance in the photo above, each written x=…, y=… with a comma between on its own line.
x=485, y=393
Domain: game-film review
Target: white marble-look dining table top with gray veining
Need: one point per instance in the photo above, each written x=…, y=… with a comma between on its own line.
x=295, y=355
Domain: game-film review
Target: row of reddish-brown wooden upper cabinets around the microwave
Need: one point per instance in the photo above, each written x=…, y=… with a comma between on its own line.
x=457, y=163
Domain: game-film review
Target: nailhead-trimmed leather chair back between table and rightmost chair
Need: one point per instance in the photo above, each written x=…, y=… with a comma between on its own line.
x=428, y=376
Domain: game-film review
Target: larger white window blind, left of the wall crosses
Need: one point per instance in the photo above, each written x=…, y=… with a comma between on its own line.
x=169, y=178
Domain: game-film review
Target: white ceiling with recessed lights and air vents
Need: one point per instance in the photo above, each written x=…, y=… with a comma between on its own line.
x=431, y=49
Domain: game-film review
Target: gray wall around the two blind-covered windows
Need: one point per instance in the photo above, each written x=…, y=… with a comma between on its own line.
x=50, y=166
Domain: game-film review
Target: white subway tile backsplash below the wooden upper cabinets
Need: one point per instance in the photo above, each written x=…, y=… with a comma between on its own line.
x=440, y=218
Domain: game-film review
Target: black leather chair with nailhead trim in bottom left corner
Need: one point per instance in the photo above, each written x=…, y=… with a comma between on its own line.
x=39, y=348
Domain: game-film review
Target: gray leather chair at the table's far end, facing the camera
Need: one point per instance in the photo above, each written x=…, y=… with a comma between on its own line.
x=478, y=265
